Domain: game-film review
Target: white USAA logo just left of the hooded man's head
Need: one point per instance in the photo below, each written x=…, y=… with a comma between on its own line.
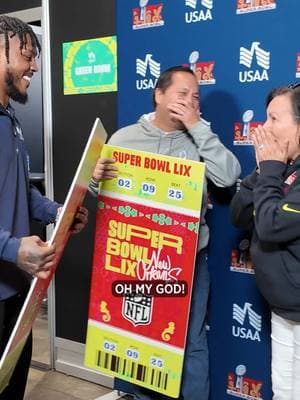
x=142, y=67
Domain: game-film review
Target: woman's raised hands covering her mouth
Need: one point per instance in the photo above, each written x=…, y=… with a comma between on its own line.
x=269, y=148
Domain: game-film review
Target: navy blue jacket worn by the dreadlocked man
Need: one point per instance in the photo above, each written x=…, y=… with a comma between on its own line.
x=19, y=202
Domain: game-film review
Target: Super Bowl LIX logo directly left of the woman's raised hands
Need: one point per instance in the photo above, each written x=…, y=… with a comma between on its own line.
x=243, y=130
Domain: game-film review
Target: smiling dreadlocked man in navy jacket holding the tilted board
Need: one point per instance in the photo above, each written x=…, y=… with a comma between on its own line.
x=21, y=255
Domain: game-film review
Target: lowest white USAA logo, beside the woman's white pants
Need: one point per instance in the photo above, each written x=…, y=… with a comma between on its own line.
x=247, y=328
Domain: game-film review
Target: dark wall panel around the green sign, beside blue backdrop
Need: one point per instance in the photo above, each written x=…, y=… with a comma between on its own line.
x=73, y=116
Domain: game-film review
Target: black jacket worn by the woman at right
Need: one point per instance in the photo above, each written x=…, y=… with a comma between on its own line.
x=268, y=204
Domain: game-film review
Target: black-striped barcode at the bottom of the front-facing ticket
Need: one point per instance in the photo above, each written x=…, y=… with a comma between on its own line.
x=131, y=369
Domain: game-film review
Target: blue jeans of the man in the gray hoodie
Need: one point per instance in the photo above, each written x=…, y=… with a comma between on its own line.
x=195, y=378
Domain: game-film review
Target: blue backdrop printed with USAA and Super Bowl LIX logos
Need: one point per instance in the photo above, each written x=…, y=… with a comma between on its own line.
x=239, y=51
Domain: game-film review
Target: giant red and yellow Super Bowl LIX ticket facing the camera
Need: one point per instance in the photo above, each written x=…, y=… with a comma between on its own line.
x=145, y=245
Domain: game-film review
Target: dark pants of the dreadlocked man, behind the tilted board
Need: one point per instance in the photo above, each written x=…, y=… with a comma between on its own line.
x=9, y=312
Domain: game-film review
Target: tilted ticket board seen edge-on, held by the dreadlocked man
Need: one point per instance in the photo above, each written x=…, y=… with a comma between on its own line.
x=60, y=237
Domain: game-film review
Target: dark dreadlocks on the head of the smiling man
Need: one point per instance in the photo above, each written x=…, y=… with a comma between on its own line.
x=11, y=26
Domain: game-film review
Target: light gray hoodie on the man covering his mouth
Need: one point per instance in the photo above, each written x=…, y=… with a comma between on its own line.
x=198, y=144
